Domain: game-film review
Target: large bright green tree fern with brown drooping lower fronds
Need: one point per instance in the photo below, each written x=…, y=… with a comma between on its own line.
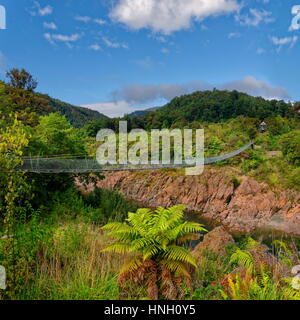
x=154, y=238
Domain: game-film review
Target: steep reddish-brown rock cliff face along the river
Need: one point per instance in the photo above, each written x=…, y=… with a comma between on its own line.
x=243, y=207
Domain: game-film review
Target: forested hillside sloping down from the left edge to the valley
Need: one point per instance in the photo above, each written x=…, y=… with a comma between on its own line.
x=26, y=101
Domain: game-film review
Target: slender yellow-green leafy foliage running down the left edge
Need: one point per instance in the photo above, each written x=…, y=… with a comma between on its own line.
x=14, y=192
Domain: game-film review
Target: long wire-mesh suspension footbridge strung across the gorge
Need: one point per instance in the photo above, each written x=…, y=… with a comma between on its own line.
x=60, y=165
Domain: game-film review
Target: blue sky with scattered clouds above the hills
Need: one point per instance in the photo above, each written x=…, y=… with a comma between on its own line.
x=117, y=56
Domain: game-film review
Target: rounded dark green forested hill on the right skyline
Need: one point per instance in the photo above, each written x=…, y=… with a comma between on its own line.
x=212, y=106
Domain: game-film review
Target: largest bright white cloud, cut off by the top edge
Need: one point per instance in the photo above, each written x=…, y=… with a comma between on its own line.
x=168, y=16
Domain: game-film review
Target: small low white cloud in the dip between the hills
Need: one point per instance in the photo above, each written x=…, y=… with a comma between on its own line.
x=111, y=109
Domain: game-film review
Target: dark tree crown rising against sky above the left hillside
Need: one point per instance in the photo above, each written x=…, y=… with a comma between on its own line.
x=21, y=79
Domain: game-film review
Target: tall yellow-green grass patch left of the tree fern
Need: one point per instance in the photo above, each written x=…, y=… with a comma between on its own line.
x=74, y=267
